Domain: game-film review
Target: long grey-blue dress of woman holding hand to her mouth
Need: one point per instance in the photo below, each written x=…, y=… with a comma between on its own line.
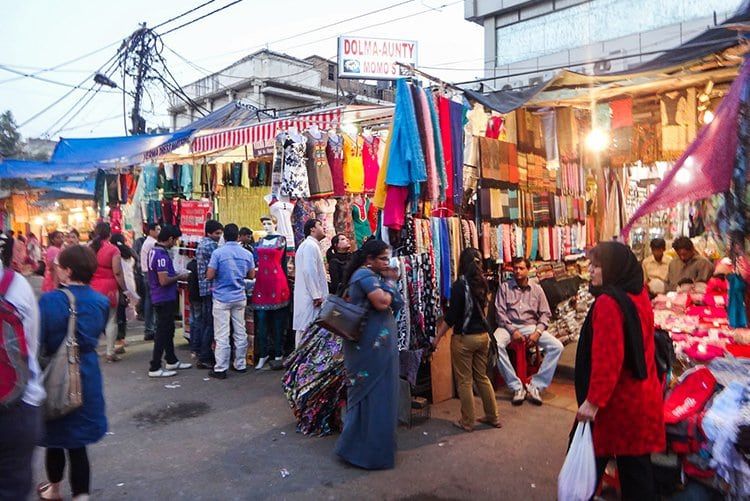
x=369, y=436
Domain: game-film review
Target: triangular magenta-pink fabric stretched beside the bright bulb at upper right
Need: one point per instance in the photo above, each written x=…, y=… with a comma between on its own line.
x=711, y=160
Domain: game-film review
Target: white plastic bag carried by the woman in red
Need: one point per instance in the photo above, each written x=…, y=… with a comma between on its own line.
x=577, y=479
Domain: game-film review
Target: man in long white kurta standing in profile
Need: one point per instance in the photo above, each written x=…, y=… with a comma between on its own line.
x=310, y=283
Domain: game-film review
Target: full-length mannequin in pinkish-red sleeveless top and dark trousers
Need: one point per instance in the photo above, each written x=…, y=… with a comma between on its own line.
x=271, y=293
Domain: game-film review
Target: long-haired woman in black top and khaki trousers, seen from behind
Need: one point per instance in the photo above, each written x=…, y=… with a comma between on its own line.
x=470, y=343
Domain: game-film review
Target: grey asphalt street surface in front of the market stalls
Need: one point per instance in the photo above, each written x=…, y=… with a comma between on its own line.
x=190, y=437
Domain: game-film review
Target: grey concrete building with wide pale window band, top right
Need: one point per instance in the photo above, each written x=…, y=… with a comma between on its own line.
x=526, y=41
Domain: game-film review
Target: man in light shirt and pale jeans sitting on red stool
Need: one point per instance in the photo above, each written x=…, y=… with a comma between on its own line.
x=523, y=313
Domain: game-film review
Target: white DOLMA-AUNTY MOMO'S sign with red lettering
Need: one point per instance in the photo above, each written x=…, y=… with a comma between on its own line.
x=374, y=58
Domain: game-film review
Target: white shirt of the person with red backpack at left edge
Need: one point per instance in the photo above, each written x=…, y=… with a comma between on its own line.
x=21, y=296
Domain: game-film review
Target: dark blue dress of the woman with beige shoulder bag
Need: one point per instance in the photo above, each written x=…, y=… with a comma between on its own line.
x=89, y=423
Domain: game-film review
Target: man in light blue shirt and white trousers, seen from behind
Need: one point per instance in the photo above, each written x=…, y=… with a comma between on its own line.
x=228, y=268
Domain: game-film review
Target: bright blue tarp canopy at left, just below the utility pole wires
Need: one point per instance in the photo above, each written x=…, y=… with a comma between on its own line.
x=117, y=149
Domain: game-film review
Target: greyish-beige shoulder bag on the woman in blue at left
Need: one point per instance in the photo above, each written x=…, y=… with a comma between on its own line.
x=62, y=371
